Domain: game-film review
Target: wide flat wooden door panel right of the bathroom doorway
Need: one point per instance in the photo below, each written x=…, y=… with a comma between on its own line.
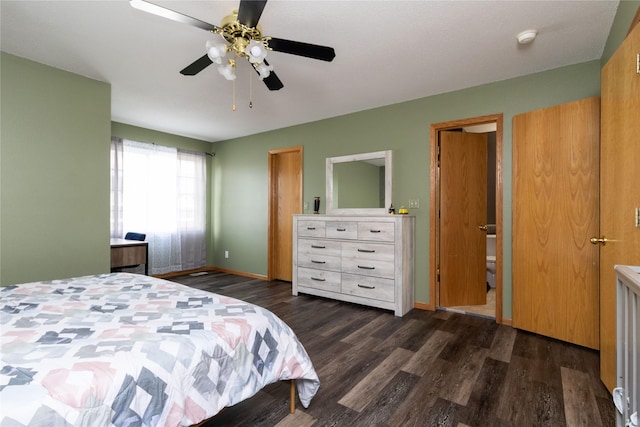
x=555, y=213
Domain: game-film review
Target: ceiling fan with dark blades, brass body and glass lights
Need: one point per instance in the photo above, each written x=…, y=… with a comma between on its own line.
x=240, y=35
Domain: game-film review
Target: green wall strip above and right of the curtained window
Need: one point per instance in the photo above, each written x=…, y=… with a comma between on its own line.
x=135, y=133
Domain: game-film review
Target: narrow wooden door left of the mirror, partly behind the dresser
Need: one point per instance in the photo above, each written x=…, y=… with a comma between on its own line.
x=285, y=200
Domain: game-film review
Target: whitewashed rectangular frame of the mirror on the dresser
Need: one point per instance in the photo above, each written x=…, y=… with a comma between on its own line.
x=388, y=174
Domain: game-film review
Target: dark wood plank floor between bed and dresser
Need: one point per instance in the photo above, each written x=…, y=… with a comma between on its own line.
x=425, y=369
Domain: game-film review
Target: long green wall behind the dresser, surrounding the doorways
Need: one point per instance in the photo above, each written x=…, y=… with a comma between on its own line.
x=241, y=164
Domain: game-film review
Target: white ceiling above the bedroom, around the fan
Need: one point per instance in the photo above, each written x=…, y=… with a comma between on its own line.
x=386, y=52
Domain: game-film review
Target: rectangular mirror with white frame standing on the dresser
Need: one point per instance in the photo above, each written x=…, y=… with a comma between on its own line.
x=359, y=183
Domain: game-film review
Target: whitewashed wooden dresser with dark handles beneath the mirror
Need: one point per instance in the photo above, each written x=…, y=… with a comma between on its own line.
x=362, y=259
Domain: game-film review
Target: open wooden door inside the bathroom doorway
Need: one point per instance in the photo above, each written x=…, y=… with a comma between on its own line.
x=463, y=209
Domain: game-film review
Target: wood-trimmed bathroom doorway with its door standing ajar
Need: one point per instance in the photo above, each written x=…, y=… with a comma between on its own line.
x=466, y=214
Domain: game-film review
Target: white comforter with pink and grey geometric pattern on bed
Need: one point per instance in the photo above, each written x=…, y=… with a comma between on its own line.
x=129, y=350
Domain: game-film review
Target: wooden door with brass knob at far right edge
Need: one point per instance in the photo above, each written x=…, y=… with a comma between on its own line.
x=619, y=186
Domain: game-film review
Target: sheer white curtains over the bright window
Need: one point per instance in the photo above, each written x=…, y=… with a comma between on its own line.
x=160, y=191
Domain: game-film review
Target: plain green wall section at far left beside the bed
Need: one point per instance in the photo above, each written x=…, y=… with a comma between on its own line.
x=54, y=173
